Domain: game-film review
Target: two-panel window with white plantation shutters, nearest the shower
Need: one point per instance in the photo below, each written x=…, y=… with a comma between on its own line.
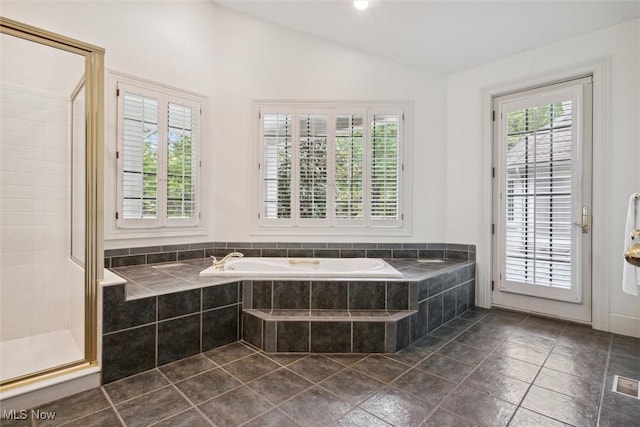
x=158, y=166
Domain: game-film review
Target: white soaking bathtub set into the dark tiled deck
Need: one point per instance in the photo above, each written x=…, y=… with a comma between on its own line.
x=305, y=267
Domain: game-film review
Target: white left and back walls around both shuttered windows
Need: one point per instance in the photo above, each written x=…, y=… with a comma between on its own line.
x=233, y=60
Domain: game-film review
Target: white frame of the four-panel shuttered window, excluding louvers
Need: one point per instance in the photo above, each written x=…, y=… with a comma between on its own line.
x=331, y=225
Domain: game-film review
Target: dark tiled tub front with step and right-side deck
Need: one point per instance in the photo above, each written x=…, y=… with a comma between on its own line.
x=355, y=316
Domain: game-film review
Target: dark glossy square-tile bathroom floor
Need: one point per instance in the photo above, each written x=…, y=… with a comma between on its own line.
x=484, y=368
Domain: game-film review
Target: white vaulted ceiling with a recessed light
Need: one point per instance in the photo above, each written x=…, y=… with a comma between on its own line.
x=446, y=36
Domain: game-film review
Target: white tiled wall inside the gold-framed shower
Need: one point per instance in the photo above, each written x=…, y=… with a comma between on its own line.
x=33, y=213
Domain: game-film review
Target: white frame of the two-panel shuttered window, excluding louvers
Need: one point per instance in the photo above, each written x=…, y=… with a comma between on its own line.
x=165, y=95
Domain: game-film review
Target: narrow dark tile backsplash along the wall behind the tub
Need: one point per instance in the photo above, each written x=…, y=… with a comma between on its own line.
x=115, y=258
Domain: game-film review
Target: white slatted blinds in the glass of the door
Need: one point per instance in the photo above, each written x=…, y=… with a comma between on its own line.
x=539, y=204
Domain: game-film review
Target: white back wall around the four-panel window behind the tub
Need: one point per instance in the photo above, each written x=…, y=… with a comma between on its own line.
x=257, y=60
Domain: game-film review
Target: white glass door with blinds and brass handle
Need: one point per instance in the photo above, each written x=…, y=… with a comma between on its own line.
x=542, y=200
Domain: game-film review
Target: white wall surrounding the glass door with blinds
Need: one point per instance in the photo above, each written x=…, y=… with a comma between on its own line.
x=616, y=154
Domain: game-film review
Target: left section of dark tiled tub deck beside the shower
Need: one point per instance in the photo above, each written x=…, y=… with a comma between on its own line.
x=177, y=315
